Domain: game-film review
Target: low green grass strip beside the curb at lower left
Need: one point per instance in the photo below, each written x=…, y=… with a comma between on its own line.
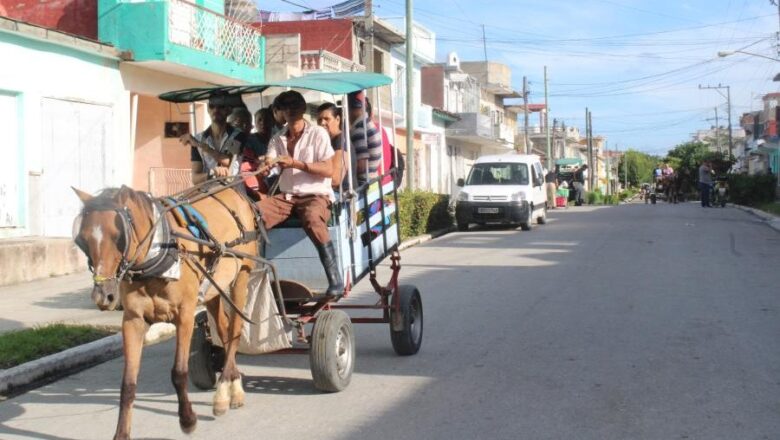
x=20, y=346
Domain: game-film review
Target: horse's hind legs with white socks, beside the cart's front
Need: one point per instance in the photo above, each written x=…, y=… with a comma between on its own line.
x=230, y=380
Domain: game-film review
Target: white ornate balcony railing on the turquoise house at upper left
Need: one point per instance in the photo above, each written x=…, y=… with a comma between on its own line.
x=198, y=28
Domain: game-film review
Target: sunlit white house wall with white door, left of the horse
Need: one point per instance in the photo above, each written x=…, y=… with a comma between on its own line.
x=70, y=103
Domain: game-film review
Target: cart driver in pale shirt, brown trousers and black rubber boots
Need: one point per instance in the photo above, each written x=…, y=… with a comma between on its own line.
x=304, y=154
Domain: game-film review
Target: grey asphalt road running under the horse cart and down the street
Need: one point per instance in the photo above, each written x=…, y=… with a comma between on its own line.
x=629, y=322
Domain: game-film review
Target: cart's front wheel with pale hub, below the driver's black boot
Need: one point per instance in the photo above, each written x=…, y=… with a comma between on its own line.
x=332, y=353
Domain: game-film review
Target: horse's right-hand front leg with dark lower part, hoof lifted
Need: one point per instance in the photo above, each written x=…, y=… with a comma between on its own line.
x=184, y=328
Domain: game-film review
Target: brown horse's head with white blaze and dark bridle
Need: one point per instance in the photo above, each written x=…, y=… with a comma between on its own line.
x=102, y=231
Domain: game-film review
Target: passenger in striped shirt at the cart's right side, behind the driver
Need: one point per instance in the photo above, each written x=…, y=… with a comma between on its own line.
x=365, y=138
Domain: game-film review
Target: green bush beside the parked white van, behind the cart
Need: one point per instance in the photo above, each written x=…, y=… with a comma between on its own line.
x=422, y=212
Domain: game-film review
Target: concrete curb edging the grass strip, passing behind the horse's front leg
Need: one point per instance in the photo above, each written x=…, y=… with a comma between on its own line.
x=41, y=371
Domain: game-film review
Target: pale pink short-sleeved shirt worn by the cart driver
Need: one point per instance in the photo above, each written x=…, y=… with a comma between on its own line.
x=313, y=146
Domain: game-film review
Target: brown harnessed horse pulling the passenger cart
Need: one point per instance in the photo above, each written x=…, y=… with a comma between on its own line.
x=113, y=233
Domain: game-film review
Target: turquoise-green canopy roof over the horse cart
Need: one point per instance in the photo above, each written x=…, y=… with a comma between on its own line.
x=333, y=83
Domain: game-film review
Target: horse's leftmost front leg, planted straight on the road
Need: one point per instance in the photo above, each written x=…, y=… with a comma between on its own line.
x=133, y=329
